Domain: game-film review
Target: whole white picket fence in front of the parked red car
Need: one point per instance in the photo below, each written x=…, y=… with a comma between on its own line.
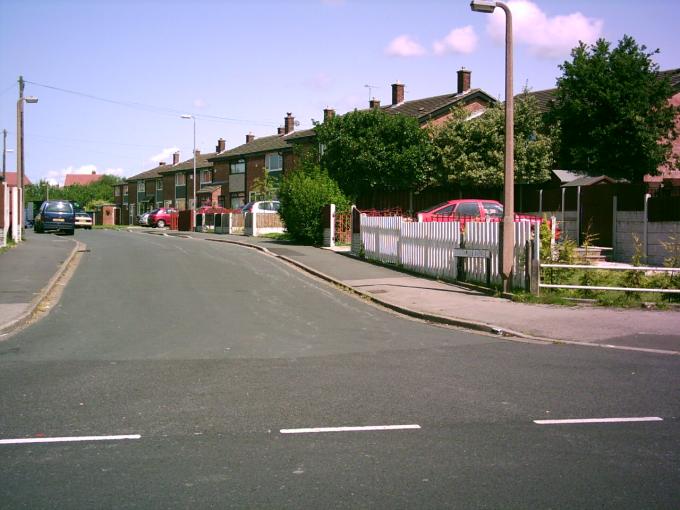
x=428, y=248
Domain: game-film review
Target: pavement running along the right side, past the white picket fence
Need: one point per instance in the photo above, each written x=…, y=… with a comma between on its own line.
x=429, y=299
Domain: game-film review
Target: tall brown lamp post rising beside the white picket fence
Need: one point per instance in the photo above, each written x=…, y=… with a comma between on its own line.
x=508, y=233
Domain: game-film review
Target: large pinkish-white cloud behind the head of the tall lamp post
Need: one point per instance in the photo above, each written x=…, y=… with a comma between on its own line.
x=547, y=37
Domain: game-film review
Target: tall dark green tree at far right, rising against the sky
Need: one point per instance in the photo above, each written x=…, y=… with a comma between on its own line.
x=613, y=111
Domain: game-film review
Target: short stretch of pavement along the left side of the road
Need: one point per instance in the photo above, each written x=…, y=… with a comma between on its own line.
x=27, y=274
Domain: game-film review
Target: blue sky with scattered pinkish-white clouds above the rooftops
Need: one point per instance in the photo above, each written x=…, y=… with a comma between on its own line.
x=113, y=76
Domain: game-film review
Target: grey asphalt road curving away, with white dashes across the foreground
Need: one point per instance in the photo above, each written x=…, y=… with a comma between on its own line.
x=202, y=353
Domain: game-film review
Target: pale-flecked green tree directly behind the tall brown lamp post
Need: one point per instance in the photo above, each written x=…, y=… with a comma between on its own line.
x=470, y=151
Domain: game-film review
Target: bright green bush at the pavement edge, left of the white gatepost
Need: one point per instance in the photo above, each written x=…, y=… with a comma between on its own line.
x=302, y=194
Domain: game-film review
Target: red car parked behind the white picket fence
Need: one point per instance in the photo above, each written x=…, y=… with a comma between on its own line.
x=470, y=209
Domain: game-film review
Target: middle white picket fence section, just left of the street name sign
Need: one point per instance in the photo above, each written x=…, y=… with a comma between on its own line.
x=428, y=247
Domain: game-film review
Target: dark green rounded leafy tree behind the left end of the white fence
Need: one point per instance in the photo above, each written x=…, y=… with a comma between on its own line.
x=372, y=150
